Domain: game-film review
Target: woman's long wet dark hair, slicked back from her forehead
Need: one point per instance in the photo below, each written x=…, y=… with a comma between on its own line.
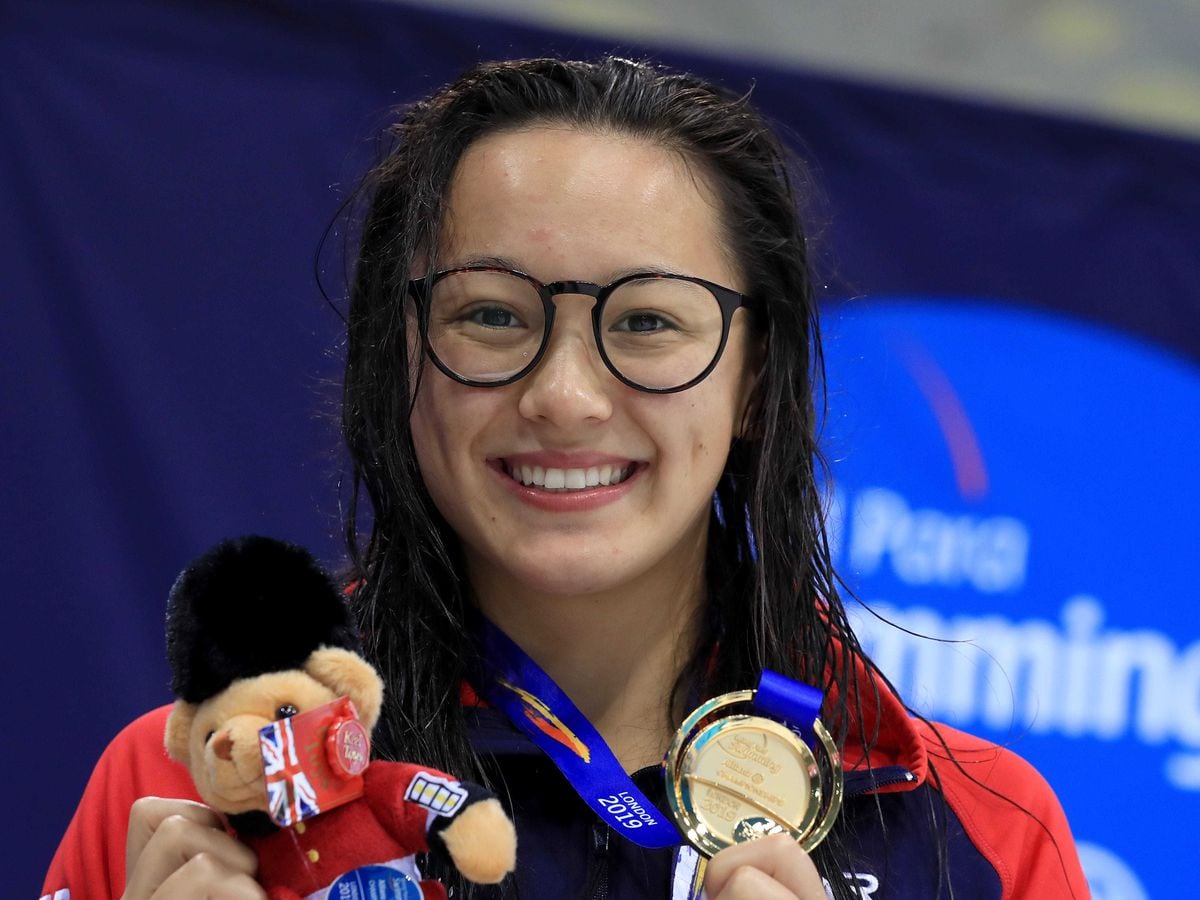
x=772, y=595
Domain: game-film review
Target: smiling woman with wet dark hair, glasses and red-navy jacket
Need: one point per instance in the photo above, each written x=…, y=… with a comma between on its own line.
x=583, y=344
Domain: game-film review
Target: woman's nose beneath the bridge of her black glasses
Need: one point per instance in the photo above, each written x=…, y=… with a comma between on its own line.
x=571, y=383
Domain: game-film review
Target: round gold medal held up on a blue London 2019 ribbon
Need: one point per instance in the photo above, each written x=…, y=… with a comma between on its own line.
x=735, y=776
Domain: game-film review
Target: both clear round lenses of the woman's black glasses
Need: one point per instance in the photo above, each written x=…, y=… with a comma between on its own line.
x=658, y=333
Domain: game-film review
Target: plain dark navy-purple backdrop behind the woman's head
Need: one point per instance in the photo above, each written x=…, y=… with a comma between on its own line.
x=169, y=368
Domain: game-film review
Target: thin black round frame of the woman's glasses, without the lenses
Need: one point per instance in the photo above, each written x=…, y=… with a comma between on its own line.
x=422, y=290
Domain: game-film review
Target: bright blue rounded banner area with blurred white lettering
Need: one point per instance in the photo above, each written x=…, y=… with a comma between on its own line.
x=1016, y=491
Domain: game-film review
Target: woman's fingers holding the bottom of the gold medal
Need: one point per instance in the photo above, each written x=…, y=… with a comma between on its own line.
x=772, y=868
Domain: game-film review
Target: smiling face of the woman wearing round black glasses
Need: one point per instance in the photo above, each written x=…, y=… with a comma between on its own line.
x=625, y=542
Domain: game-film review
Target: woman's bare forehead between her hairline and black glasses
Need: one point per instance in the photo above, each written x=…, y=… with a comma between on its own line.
x=584, y=205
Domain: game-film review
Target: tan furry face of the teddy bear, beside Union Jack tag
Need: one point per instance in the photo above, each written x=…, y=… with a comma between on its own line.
x=223, y=742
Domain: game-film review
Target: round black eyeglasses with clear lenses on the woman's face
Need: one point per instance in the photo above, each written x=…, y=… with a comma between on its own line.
x=488, y=327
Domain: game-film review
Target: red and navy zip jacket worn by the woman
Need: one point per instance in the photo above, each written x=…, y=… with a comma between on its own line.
x=1004, y=831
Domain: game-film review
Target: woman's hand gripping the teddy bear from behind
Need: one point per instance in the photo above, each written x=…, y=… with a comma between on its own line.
x=179, y=849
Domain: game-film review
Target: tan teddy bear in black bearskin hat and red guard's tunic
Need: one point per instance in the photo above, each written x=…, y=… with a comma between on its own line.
x=257, y=634
